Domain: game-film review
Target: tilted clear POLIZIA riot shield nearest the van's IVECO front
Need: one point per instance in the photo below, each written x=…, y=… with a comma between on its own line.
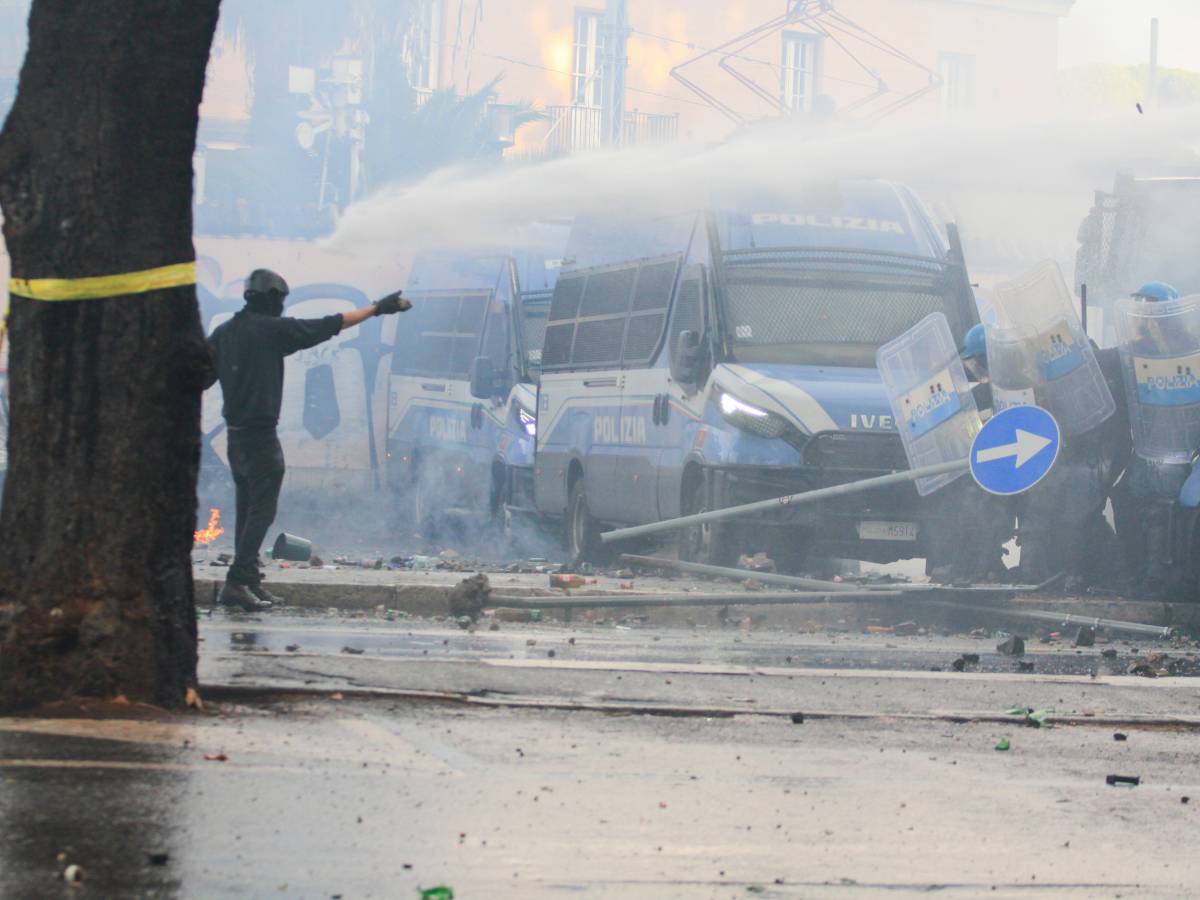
x=931, y=398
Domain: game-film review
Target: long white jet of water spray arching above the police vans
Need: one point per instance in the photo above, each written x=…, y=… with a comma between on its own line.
x=1025, y=182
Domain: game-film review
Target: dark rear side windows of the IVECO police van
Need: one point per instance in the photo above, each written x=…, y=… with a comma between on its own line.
x=610, y=316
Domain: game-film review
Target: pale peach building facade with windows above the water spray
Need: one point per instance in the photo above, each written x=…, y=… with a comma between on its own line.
x=700, y=69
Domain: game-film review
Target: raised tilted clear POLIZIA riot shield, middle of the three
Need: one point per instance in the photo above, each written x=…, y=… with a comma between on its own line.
x=1039, y=353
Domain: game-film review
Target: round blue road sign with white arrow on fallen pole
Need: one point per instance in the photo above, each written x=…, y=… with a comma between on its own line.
x=1015, y=451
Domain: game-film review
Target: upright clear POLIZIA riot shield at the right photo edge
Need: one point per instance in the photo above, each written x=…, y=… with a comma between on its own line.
x=1161, y=356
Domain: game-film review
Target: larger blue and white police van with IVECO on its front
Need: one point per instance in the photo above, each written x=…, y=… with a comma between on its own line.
x=703, y=361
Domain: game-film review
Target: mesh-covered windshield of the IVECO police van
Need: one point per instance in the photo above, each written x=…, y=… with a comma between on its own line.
x=830, y=308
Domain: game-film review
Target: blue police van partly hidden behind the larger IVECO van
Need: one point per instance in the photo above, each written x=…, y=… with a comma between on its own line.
x=461, y=400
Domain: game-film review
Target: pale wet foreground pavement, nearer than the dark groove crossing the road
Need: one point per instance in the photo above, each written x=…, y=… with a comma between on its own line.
x=379, y=799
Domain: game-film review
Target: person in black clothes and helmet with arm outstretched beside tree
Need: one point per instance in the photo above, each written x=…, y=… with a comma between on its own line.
x=248, y=359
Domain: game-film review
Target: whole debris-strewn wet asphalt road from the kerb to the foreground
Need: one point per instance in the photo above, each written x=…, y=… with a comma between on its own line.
x=635, y=761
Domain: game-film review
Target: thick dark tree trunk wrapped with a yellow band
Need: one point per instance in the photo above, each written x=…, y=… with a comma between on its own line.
x=100, y=501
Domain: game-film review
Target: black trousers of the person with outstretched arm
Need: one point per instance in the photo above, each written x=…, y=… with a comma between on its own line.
x=256, y=460
